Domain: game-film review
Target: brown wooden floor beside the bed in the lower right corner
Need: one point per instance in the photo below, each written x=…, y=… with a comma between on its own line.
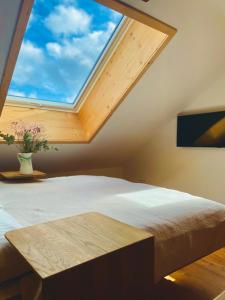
x=202, y=280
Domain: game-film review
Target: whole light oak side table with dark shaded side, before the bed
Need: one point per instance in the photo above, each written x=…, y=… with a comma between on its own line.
x=88, y=257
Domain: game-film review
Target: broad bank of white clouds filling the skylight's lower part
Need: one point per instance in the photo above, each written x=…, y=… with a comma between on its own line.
x=57, y=70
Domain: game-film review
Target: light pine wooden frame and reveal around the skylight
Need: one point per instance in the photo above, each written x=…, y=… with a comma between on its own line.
x=144, y=40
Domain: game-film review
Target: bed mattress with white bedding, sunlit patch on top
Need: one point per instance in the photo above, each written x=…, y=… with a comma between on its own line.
x=186, y=227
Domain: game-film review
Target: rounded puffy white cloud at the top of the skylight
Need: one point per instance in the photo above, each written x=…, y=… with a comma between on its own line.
x=68, y=20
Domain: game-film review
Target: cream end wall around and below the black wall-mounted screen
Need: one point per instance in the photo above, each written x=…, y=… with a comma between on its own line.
x=200, y=171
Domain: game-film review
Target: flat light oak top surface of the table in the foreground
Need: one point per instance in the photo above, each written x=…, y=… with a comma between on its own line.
x=54, y=247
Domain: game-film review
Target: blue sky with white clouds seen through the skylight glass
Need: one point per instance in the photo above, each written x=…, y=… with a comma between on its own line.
x=62, y=43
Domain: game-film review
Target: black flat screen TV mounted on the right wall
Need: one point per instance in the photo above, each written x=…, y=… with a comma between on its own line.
x=201, y=130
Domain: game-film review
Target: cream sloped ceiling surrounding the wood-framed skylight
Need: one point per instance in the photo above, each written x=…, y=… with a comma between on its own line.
x=192, y=61
